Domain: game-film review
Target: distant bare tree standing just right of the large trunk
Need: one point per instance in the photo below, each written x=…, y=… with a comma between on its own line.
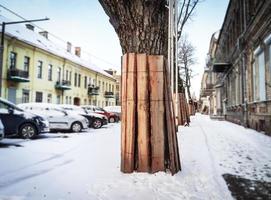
x=186, y=59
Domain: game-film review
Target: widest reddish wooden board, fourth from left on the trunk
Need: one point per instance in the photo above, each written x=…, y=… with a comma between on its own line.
x=156, y=68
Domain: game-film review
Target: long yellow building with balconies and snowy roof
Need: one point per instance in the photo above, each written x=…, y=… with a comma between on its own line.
x=36, y=69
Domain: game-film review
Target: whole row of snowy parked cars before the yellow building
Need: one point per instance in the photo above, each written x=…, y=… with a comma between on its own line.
x=30, y=119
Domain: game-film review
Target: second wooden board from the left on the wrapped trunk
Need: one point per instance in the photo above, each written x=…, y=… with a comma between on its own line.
x=131, y=114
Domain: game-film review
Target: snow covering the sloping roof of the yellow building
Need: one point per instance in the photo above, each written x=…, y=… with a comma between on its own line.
x=33, y=38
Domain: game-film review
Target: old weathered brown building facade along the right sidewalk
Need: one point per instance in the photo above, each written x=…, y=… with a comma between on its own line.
x=243, y=63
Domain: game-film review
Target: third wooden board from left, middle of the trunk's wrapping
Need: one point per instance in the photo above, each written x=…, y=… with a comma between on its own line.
x=143, y=109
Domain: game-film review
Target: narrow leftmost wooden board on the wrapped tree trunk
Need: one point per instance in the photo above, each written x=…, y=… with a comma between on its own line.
x=123, y=109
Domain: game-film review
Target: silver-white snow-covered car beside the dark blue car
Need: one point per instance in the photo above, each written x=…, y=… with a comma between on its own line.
x=58, y=118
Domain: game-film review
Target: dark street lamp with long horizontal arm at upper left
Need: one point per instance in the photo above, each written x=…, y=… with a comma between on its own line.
x=3, y=40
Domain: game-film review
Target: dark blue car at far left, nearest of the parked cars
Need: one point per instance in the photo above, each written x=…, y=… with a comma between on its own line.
x=18, y=122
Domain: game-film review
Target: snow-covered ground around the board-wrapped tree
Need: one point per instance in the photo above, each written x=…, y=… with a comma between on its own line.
x=87, y=165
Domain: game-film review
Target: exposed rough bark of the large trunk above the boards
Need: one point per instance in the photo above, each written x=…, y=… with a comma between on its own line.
x=141, y=25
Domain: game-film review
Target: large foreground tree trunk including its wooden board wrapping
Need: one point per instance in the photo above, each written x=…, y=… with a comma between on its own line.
x=142, y=28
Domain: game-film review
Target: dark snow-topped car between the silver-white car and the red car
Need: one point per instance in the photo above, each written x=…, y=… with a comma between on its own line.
x=95, y=120
